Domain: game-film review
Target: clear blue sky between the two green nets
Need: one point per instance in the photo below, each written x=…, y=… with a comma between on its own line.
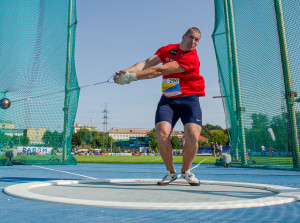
x=114, y=35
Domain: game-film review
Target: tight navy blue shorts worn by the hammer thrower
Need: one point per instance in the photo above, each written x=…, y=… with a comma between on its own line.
x=186, y=108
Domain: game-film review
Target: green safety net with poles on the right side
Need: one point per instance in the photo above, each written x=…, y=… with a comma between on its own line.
x=256, y=98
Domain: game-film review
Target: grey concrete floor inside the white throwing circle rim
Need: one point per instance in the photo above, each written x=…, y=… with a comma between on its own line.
x=149, y=192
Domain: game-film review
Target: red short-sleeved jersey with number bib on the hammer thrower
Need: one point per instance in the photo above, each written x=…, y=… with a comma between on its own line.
x=186, y=83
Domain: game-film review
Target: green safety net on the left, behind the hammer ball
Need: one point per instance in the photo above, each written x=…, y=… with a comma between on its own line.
x=38, y=77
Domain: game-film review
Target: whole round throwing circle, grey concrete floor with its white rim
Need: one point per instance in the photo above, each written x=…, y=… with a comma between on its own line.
x=146, y=194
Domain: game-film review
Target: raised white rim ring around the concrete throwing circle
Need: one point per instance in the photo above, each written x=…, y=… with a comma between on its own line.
x=283, y=195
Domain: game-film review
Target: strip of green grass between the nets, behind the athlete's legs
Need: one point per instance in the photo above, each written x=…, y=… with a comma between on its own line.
x=140, y=159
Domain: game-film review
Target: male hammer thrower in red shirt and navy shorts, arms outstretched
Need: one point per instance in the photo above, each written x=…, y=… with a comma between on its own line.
x=181, y=86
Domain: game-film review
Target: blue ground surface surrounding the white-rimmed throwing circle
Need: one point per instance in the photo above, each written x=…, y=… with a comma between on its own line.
x=22, y=210
